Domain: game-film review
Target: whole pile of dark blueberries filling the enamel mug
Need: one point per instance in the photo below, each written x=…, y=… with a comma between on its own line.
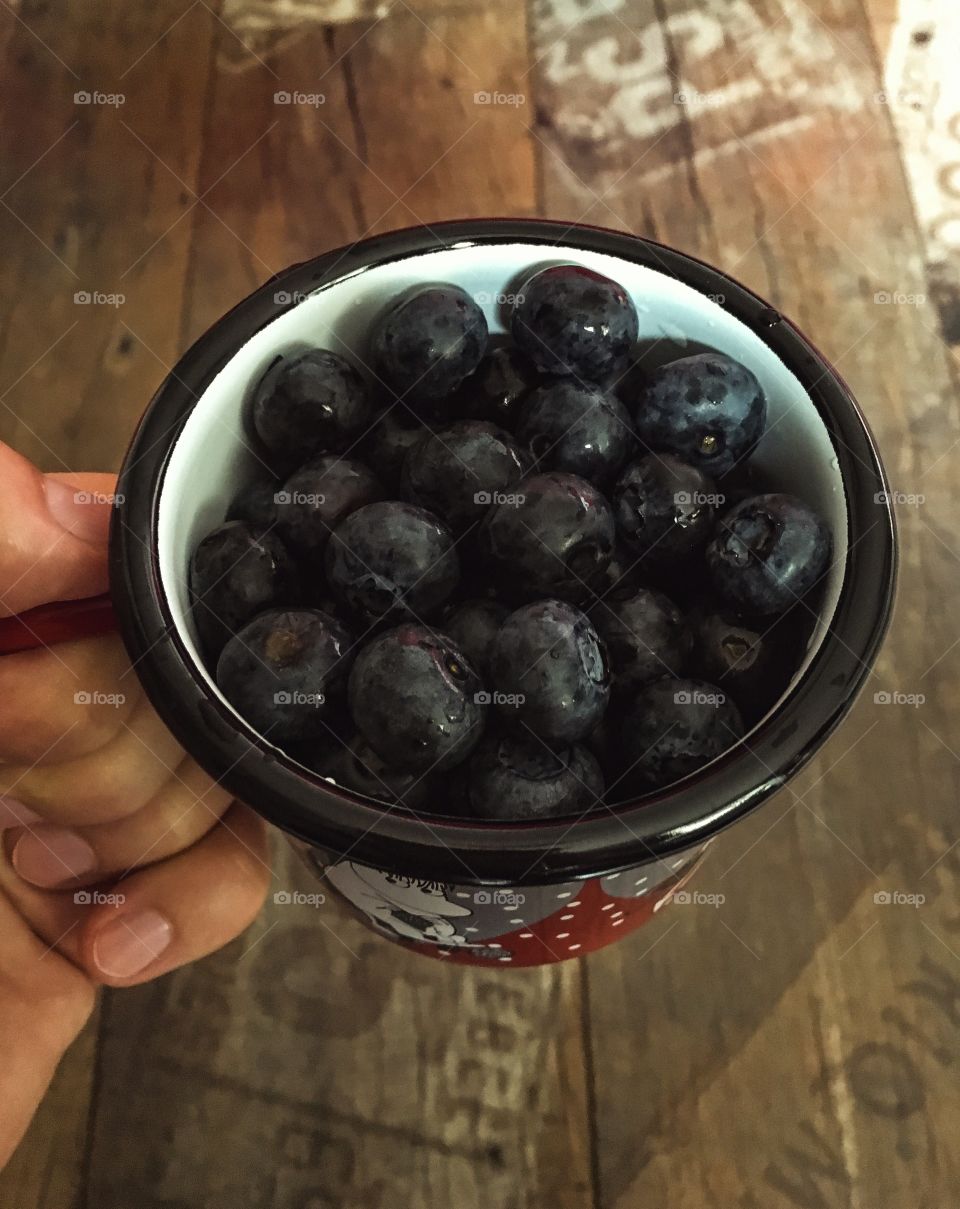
x=508, y=580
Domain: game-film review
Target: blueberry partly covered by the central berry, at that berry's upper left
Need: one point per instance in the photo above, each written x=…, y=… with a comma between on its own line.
x=460, y=471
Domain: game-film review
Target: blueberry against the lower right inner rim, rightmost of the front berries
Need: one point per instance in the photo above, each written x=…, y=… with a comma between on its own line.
x=670, y=730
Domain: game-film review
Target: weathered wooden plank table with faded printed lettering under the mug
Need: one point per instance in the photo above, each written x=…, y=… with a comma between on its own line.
x=796, y=1046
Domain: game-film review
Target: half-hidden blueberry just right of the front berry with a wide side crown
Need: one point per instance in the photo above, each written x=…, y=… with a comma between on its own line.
x=646, y=638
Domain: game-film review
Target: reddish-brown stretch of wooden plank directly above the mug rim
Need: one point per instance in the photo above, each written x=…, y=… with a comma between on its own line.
x=291, y=181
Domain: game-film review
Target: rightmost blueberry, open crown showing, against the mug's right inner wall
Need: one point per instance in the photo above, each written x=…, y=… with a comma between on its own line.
x=767, y=553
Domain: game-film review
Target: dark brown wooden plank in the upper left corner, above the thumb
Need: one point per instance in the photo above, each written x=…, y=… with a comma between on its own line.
x=89, y=209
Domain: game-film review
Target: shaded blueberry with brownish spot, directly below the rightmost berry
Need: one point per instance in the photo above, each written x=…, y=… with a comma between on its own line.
x=745, y=662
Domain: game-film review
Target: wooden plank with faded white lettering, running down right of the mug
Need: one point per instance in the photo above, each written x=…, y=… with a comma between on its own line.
x=783, y=167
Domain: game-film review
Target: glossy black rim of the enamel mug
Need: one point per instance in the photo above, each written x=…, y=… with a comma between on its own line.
x=346, y=825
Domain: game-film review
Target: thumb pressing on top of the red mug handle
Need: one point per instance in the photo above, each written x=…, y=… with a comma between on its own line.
x=54, y=533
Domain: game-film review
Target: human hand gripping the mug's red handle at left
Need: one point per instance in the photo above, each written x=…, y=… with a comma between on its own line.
x=122, y=859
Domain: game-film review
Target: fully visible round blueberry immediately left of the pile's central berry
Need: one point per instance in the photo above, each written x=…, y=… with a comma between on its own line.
x=392, y=560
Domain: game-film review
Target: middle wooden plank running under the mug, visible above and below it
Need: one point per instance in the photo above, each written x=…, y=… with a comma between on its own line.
x=329, y=1067
